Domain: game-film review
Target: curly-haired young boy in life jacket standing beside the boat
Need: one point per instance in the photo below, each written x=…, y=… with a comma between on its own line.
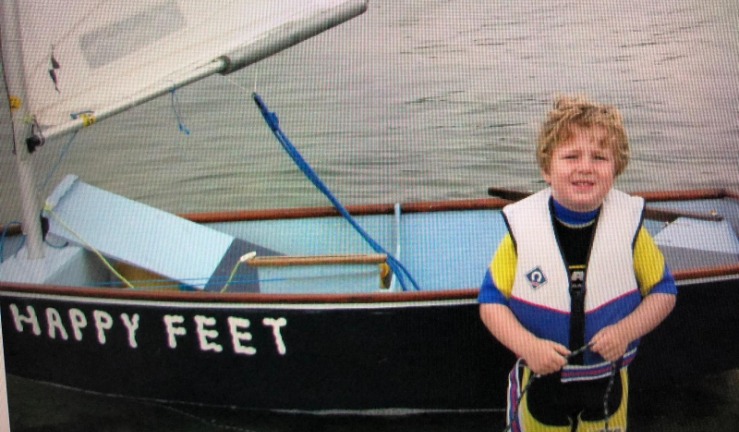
x=577, y=281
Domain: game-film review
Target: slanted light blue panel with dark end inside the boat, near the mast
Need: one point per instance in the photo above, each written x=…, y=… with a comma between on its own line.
x=133, y=233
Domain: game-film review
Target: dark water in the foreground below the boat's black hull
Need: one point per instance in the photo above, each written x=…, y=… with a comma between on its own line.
x=711, y=404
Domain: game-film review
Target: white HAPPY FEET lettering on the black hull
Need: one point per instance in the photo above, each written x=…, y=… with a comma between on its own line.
x=74, y=325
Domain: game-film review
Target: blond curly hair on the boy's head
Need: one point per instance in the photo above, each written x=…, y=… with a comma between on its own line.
x=569, y=113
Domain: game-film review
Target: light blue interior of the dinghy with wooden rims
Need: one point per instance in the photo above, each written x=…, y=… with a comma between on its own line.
x=445, y=246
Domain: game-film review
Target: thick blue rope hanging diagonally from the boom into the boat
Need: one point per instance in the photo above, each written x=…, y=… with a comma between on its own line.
x=271, y=119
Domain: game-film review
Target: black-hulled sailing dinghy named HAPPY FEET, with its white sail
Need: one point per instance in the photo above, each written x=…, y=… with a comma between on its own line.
x=228, y=309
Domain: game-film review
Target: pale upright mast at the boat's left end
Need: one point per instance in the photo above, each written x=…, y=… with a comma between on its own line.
x=12, y=45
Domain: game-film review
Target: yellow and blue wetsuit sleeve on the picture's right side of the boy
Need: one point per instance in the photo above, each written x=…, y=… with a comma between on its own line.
x=651, y=270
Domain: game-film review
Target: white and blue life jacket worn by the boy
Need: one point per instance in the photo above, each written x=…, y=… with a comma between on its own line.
x=541, y=298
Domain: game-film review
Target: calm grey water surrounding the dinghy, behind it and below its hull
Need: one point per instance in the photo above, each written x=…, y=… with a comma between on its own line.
x=416, y=100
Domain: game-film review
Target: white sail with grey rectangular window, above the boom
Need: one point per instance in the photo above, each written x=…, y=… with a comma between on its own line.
x=105, y=56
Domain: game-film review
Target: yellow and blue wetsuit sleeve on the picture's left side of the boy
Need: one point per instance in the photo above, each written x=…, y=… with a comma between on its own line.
x=498, y=282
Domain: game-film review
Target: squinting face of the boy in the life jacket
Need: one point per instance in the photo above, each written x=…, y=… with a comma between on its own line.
x=581, y=171
